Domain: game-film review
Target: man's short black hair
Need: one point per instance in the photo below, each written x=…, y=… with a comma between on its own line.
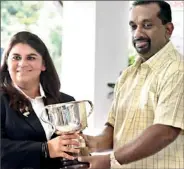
x=165, y=13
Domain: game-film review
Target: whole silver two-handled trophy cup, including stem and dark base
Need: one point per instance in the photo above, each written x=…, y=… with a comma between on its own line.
x=67, y=118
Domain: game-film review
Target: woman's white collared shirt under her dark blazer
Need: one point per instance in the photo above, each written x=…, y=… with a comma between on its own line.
x=38, y=106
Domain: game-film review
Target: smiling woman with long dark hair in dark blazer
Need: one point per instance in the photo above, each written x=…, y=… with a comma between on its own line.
x=28, y=82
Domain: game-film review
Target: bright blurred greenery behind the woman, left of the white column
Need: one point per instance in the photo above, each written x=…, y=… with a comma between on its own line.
x=39, y=17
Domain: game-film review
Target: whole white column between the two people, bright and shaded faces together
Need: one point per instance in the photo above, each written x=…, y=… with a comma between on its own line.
x=95, y=50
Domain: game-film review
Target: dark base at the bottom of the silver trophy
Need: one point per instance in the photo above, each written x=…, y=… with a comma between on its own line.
x=74, y=164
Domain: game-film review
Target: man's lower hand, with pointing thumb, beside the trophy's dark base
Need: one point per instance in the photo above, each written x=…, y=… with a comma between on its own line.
x=97, y=161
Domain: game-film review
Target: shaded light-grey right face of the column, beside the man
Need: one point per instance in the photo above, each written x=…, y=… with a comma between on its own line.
x=111, y=55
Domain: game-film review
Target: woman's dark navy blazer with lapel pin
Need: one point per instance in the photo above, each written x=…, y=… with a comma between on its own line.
x=21, y=138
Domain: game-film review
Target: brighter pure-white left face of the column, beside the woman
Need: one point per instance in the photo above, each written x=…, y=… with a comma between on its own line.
x=78, y=49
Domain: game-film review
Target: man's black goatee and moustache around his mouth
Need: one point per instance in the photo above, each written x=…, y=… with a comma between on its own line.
x=142, y=45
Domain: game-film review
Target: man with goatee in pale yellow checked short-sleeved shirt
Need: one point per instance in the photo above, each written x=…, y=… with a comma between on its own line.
x=145, y=125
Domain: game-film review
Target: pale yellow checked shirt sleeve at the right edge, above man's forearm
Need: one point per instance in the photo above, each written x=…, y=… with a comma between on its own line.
x=170, y=107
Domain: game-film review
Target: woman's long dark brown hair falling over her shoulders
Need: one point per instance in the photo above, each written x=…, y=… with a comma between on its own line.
x=49, y=78
